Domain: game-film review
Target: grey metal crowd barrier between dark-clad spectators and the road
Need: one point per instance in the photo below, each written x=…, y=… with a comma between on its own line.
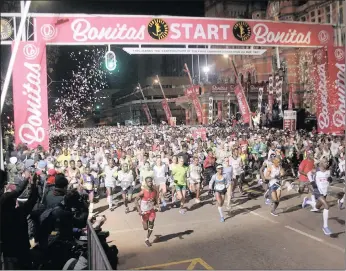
x=97, y=258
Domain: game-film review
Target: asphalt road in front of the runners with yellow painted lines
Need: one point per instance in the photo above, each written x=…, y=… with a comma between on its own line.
x=250, y=238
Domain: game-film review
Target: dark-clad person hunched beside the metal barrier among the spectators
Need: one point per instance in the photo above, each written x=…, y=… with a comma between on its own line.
x=56, y=231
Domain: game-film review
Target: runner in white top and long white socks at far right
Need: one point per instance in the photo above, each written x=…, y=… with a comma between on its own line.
x=320, y=182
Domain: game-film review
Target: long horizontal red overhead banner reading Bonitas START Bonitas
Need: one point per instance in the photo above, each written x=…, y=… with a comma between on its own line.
x=129, y=29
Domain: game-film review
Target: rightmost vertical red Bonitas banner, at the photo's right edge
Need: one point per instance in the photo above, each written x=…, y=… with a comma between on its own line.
x=336, y=89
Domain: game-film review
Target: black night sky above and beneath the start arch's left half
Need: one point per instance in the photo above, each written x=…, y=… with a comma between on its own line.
x=126, y=75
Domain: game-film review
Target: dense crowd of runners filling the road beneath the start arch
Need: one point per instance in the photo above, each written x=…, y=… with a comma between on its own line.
x=158, y=167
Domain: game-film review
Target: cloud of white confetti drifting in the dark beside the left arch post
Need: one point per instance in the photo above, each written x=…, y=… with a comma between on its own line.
x=78, y=93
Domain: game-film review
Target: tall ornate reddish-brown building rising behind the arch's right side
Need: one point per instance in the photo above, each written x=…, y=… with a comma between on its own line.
x=296, y=62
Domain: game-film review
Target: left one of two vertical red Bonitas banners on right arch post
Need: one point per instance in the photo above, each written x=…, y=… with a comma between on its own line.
x=322, y=93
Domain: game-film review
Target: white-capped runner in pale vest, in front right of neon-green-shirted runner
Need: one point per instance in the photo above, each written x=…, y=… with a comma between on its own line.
x=219, y=183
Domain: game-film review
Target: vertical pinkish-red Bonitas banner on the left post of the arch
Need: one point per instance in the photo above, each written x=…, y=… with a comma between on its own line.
x=30, y=100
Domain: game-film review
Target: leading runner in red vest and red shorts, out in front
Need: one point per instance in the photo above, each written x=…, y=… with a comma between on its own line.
x=148, y=198
